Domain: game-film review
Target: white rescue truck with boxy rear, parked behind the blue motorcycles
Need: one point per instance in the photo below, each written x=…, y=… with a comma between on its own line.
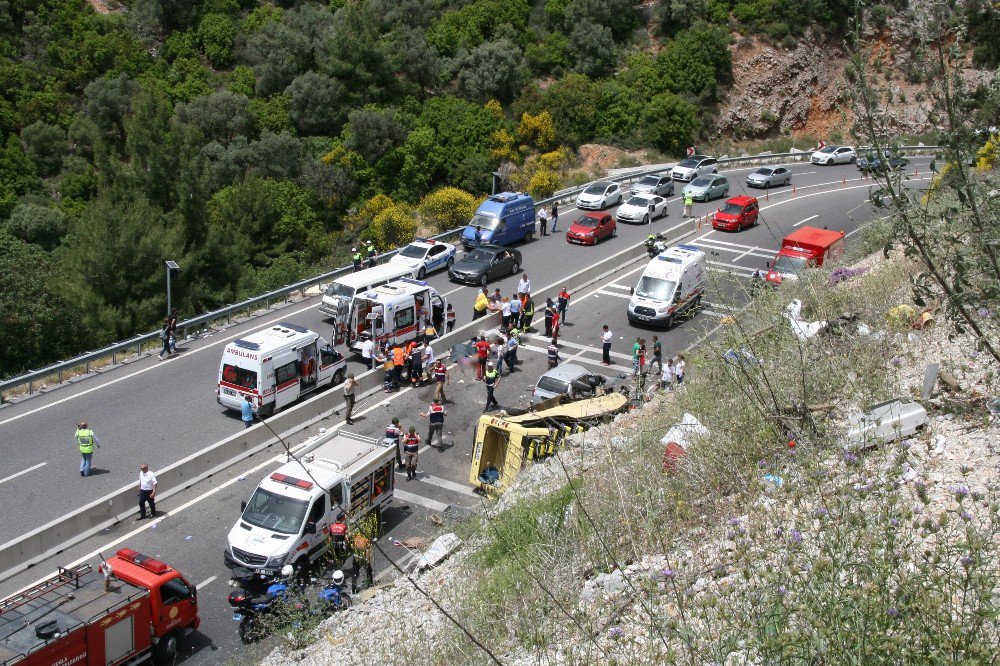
x=287, y=519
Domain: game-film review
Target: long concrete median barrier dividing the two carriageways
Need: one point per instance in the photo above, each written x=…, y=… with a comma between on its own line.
x=19, y=554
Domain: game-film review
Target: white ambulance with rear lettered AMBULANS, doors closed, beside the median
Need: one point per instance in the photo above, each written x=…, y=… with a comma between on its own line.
x=276, y=366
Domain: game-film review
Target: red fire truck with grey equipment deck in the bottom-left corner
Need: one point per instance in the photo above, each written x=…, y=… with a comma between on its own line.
x=128, y=610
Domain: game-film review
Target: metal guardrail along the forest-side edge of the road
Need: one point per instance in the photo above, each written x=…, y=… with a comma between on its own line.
x=133, y=347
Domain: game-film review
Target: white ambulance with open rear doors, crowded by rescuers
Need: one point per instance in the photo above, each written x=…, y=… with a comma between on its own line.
x=392, y=313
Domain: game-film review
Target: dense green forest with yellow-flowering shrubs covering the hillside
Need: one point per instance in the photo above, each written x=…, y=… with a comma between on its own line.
x=253, y=142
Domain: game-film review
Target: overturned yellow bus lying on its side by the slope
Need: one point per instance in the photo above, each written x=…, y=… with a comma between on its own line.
x=506, y=444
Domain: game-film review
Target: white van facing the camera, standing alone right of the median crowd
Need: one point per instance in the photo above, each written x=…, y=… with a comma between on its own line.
x=672, y=283
